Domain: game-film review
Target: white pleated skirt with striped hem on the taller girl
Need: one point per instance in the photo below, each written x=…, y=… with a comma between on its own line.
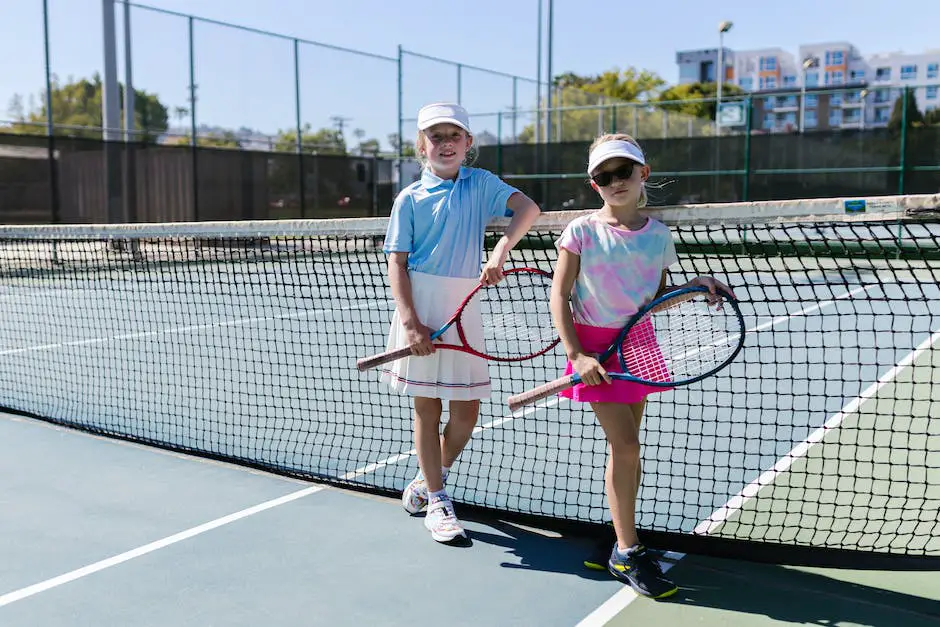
x=446, y=374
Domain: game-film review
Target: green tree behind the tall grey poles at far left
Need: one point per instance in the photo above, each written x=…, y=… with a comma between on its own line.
x=76, y=109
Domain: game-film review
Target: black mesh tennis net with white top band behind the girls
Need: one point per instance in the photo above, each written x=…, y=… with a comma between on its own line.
x=238, y=341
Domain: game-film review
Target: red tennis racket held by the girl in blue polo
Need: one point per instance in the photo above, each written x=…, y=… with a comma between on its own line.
x=517, y=322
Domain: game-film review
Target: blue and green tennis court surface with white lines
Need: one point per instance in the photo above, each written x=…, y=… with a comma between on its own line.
x=228, y=351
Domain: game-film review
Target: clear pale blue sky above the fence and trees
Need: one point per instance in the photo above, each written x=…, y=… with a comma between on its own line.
x=247, y=80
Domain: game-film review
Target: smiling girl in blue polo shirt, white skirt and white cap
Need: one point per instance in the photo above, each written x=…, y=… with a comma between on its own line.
x=435, y=247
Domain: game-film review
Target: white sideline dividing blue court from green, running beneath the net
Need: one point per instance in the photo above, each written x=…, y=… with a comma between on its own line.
x=619, y=601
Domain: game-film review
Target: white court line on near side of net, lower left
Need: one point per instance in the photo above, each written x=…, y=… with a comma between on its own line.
x=22, y=593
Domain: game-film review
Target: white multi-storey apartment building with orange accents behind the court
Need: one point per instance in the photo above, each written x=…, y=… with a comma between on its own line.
x=824, y=86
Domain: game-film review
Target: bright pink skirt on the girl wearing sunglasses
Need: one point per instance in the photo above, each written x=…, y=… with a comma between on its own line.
x=596, y=340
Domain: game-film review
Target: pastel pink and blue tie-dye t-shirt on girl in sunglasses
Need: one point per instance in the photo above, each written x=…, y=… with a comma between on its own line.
x=620, y=269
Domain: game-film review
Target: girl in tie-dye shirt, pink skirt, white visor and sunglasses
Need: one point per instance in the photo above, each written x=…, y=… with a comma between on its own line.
x=610, y=263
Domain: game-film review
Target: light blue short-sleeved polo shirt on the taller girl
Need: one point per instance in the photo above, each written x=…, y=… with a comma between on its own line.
x=441, y=223
